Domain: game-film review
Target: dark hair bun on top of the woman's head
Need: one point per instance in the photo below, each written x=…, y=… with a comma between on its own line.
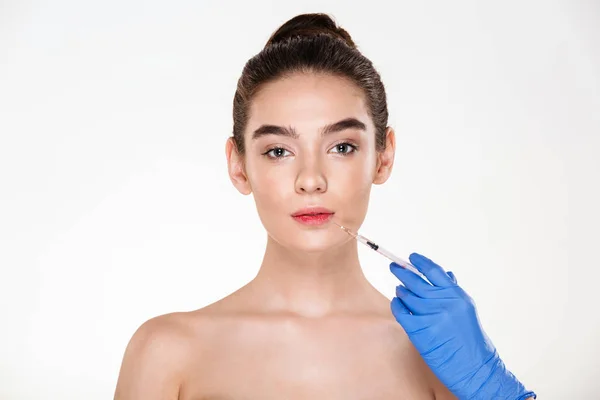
x=308, y=25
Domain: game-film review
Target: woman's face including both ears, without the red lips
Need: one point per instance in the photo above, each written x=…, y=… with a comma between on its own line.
x=297, y=156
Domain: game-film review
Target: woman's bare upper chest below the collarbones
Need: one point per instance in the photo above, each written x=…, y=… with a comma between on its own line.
x=327, y=366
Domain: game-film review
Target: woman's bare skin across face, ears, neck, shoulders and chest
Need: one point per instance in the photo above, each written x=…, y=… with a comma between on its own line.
x=309, y=325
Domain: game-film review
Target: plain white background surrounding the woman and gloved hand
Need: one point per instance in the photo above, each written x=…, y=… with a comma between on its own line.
x=116, y=205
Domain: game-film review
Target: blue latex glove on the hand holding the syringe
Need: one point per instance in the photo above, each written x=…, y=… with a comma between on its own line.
x=441, y=321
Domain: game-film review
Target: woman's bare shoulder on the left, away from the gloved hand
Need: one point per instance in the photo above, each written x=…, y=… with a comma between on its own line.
x=155, y=358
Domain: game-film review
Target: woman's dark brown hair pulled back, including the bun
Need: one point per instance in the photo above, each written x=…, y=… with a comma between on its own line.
x=310, y=43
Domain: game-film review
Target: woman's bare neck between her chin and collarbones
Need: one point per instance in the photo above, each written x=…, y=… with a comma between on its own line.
x=314, y=283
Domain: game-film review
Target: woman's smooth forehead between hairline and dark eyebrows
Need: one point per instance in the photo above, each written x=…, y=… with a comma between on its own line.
x=307, y=101
